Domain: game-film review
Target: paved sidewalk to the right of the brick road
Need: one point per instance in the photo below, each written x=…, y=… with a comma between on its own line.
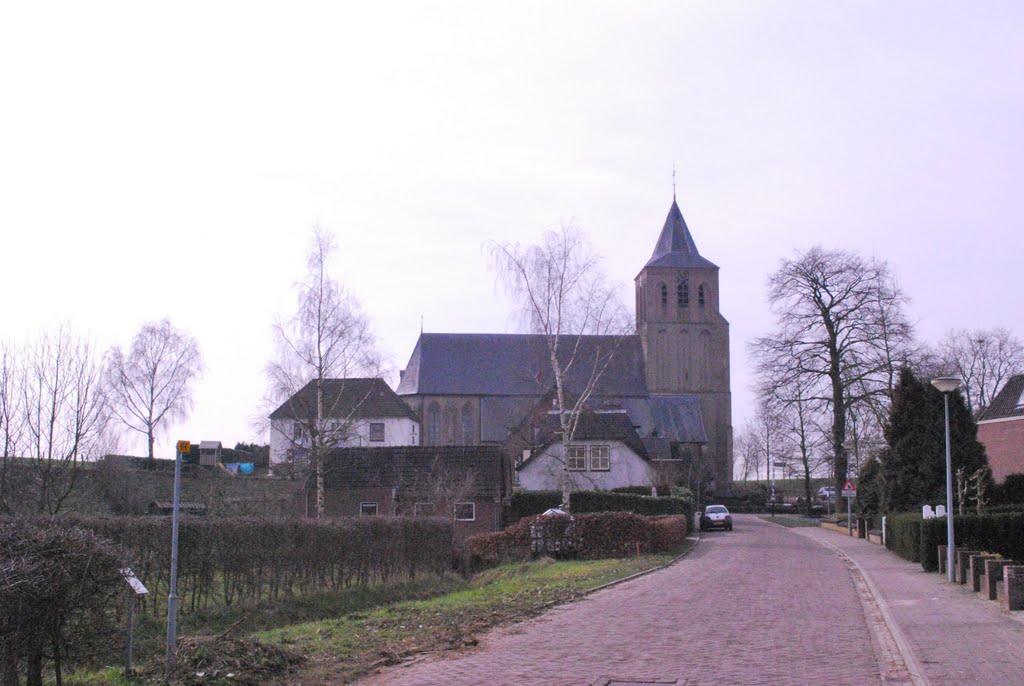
x=948, y=634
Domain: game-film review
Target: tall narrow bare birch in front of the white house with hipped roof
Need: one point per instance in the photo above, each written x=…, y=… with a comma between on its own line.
x=328, y=338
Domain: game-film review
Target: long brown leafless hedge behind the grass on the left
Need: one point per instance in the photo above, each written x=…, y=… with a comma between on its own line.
x=245, y=561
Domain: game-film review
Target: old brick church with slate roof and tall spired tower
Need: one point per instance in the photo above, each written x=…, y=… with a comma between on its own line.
x=671, y=378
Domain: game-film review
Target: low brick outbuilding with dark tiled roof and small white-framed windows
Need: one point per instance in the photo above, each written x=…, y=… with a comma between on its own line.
x=466, y=483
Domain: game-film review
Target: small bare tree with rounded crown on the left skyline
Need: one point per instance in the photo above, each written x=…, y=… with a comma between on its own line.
x=152, y=385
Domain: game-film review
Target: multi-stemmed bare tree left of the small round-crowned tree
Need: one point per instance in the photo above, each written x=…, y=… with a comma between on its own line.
x=65, y=414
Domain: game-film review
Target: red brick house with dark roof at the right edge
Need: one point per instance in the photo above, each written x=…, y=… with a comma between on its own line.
x=1001, y=430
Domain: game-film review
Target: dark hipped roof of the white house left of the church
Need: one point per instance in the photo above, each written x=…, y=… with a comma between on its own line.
x=346, y=399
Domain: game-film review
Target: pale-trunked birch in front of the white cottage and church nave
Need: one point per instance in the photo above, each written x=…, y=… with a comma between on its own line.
x=564, y=295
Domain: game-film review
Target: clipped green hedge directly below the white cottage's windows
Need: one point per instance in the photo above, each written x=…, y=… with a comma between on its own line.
x=531, y=503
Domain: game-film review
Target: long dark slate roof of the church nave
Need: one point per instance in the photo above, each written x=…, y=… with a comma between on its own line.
x=518, y=365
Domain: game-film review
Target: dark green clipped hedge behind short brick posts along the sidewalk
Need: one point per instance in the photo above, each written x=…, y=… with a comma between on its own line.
x=918, y=540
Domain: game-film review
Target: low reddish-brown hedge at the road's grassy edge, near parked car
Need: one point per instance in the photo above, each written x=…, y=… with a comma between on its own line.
x=595, y=536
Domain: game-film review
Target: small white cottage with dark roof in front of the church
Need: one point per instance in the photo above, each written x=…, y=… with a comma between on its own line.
x=606, y=453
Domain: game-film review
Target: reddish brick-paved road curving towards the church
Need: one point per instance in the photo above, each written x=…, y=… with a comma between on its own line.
x=758, y=606
